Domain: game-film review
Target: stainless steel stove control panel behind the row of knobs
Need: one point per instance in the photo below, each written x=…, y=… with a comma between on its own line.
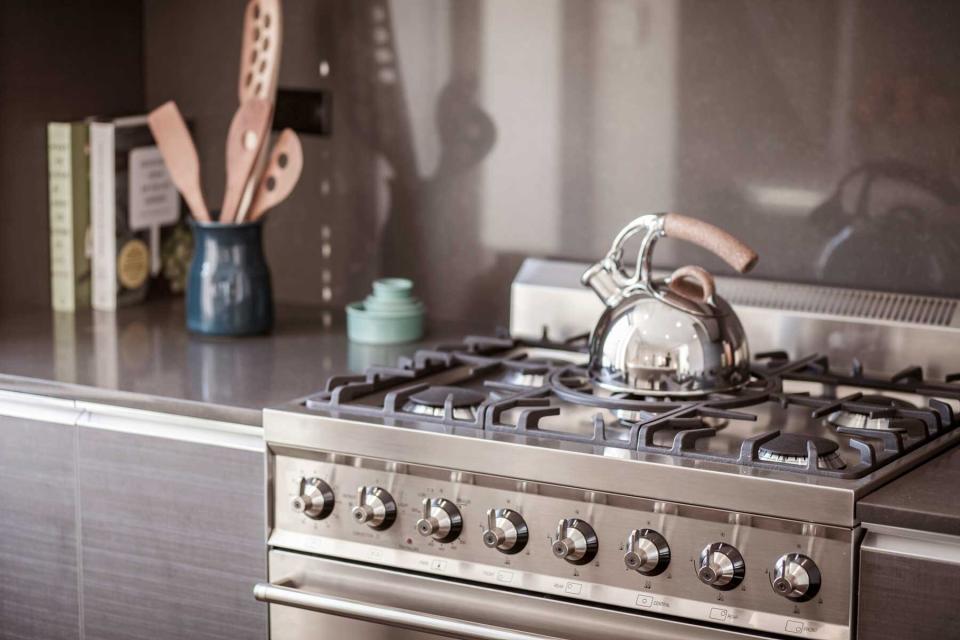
x=603, y=579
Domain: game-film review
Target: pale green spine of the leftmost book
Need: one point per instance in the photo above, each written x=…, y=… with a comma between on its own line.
x=62, y=293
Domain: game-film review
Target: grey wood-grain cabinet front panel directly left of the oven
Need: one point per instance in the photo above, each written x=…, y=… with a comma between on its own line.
x=172, y=538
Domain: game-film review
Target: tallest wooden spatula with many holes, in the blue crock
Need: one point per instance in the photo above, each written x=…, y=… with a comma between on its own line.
x=259, y=71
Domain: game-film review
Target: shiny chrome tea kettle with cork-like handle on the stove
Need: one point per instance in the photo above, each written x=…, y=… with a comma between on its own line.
x=669, y=337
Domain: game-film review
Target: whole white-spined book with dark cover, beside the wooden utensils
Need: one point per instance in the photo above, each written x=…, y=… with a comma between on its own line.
x=131, y=199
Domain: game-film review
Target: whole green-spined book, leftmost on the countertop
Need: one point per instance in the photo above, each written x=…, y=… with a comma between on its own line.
x=68, y=165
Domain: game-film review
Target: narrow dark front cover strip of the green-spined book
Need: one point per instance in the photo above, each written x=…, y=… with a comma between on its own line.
x=80, y=172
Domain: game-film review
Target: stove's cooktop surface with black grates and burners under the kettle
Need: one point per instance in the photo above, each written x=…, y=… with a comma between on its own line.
x=795, y=415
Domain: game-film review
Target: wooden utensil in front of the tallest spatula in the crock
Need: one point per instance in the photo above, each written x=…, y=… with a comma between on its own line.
x=247, y=134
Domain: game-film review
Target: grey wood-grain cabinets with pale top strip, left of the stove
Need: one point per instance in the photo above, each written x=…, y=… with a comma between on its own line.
x=119, y=523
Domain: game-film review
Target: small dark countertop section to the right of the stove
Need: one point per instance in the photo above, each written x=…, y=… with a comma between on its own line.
x=926, y=498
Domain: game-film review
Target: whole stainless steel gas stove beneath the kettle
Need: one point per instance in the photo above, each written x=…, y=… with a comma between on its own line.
x=492, y=474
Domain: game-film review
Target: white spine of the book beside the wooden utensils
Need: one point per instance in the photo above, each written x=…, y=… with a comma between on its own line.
x=103, y=216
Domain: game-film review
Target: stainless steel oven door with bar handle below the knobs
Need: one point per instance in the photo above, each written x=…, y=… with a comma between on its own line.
x=321, y=599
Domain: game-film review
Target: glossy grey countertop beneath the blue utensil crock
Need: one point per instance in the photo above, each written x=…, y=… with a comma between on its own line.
x=143, y=357
